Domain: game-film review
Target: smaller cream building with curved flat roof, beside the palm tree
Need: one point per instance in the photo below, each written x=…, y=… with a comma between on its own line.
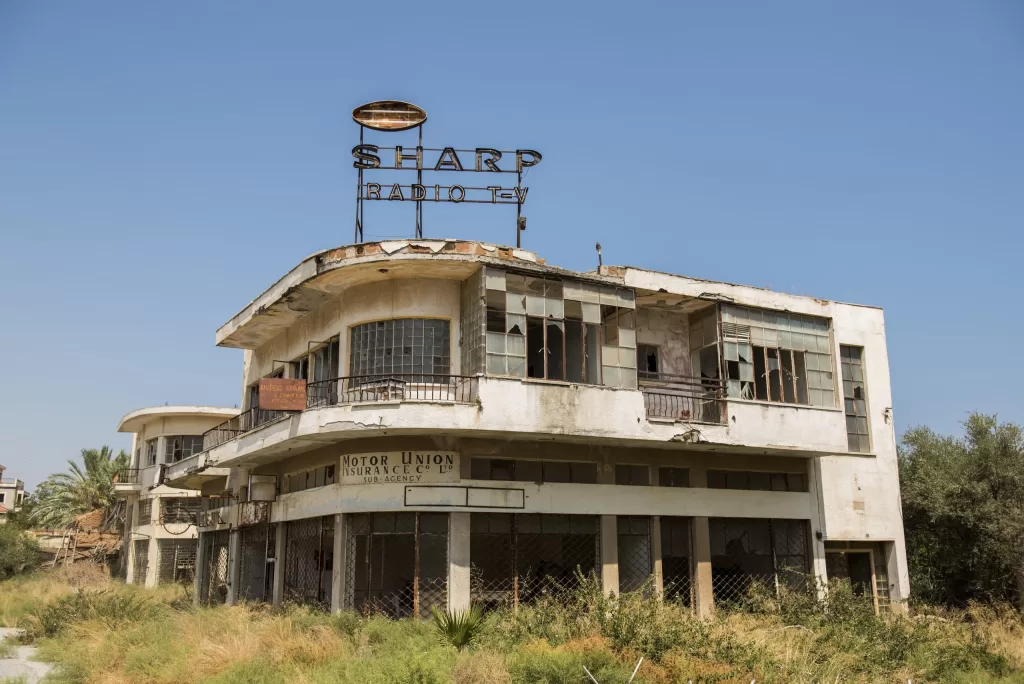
x=160, y=527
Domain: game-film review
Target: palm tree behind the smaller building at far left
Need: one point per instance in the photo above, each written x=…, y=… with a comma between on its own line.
x=63, y=497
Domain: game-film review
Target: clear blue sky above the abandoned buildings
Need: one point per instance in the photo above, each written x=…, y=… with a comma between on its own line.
x=161, y=164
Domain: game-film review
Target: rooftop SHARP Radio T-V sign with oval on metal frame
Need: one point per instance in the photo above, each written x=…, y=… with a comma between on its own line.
x=391, y=116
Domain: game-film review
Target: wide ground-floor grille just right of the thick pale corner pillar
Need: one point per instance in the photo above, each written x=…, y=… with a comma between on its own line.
x=522, y=558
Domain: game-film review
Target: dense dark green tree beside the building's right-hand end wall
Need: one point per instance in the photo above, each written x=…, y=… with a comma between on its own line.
x=964, y=511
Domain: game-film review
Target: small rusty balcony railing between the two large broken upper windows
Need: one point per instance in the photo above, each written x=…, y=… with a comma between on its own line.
x=682, y=398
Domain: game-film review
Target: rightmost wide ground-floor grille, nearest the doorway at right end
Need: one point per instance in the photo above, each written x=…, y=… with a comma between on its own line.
x=757, y=557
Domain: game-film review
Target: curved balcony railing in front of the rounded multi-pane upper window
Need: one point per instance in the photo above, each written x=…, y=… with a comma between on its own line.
x=392, y=388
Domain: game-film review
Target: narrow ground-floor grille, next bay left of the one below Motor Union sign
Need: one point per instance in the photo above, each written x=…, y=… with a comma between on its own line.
x=310, y=561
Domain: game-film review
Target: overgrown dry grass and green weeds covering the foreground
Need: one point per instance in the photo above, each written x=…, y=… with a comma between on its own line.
x=102, y=631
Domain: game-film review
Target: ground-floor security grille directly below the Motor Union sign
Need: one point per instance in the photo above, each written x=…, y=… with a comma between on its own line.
x=398, y=564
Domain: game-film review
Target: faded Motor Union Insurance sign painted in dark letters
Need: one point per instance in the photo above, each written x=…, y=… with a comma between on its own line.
x=400, y=467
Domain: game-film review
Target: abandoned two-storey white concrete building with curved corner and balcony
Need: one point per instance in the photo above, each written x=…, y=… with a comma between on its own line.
x=441, y=422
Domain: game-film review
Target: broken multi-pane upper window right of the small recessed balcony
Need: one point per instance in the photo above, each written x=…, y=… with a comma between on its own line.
x=775, y=357
